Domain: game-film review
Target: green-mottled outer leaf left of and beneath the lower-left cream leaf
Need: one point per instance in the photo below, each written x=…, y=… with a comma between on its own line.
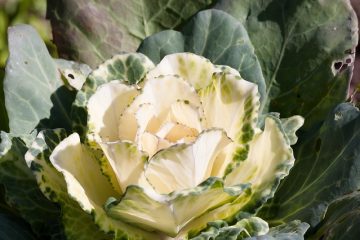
x=77, y=223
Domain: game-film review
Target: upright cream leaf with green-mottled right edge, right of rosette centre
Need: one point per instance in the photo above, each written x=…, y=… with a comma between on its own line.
x=232, y=104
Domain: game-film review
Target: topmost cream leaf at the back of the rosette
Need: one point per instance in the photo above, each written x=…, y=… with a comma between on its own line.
x=195, y=69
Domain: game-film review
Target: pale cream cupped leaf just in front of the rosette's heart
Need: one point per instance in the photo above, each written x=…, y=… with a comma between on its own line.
x=185, y=165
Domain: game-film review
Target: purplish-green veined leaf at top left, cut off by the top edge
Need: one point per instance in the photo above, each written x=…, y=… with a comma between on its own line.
x=93, y=31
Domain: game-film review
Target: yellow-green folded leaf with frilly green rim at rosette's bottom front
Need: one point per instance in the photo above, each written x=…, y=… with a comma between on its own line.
x=173, y=212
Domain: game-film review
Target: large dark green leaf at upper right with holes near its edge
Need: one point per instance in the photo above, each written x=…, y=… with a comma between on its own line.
x=297, y=43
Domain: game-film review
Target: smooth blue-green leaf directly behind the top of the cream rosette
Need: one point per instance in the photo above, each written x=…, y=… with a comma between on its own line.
x=214, y=35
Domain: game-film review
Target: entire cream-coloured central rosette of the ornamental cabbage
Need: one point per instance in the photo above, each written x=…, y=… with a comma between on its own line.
x=179, y=151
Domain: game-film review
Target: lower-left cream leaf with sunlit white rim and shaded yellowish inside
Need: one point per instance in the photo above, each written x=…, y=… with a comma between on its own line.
x=82, y=174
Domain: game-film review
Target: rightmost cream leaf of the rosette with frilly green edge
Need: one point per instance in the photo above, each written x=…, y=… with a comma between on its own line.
x=269, y=160
